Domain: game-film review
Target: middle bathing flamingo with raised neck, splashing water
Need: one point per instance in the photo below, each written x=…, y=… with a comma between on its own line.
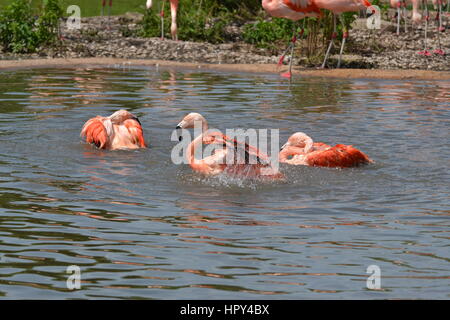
x=218, y=162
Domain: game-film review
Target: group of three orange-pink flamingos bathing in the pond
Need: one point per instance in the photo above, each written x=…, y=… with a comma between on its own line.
x=123, y=130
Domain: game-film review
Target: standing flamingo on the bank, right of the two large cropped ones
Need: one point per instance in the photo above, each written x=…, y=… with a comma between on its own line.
x=338, y=7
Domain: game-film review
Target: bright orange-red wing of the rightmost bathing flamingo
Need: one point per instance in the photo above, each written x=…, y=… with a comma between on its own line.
x=341, y=156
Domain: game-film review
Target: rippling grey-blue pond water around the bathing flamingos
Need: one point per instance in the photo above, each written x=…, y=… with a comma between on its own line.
x=139, y=226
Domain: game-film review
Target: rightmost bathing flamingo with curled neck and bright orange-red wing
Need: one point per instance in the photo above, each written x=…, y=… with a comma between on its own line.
x=301, y=150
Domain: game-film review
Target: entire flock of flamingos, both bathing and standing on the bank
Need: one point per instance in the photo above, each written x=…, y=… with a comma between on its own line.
x=123, y=130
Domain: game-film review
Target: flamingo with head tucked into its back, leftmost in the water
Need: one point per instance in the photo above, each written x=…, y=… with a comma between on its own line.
x=121, y=130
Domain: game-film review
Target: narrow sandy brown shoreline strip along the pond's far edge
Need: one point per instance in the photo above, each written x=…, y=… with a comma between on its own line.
x=387, y=74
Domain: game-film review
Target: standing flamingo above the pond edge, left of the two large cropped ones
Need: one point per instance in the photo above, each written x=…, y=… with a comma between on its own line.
x=293, y=10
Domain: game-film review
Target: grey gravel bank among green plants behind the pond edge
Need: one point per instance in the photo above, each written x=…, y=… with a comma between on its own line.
x=368, y=49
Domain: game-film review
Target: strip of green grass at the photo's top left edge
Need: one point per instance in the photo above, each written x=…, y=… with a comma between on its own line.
x=93, y=7
